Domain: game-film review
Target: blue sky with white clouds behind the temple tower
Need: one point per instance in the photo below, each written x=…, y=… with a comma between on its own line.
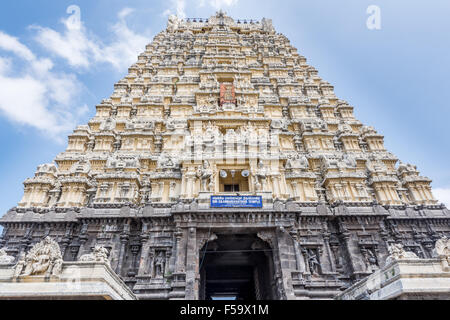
x=54, y=70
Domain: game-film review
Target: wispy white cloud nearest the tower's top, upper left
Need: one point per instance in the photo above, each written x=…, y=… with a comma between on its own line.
x=81, y=48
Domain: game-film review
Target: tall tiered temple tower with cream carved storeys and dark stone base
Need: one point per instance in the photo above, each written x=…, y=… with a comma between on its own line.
x=213, y=108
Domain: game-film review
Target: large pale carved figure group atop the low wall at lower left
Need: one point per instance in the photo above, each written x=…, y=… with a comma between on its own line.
x=43, y=259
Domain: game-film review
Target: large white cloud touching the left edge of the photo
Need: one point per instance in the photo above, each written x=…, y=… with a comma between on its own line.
x=32, y=94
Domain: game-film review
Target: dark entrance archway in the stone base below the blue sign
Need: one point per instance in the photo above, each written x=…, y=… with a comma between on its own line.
x=237, y=266
